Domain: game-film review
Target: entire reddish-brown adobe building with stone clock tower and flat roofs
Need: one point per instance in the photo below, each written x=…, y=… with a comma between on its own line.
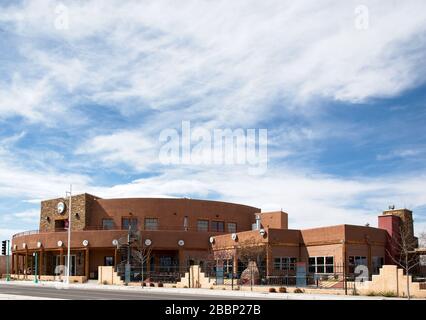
x=181, y=232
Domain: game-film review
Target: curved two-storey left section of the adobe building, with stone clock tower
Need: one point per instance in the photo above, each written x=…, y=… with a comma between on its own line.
x=177, y=232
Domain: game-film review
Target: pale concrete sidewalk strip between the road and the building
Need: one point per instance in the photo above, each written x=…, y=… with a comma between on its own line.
x=205, y=292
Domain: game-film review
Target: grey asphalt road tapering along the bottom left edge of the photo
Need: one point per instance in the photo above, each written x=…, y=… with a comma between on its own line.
x=93, y=294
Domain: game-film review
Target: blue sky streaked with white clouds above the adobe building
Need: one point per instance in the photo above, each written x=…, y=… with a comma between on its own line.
x=84, y=102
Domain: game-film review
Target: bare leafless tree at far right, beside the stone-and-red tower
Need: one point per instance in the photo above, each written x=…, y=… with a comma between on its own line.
x=402, y=252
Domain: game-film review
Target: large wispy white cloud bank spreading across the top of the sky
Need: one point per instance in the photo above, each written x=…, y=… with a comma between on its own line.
x=226, y=61
